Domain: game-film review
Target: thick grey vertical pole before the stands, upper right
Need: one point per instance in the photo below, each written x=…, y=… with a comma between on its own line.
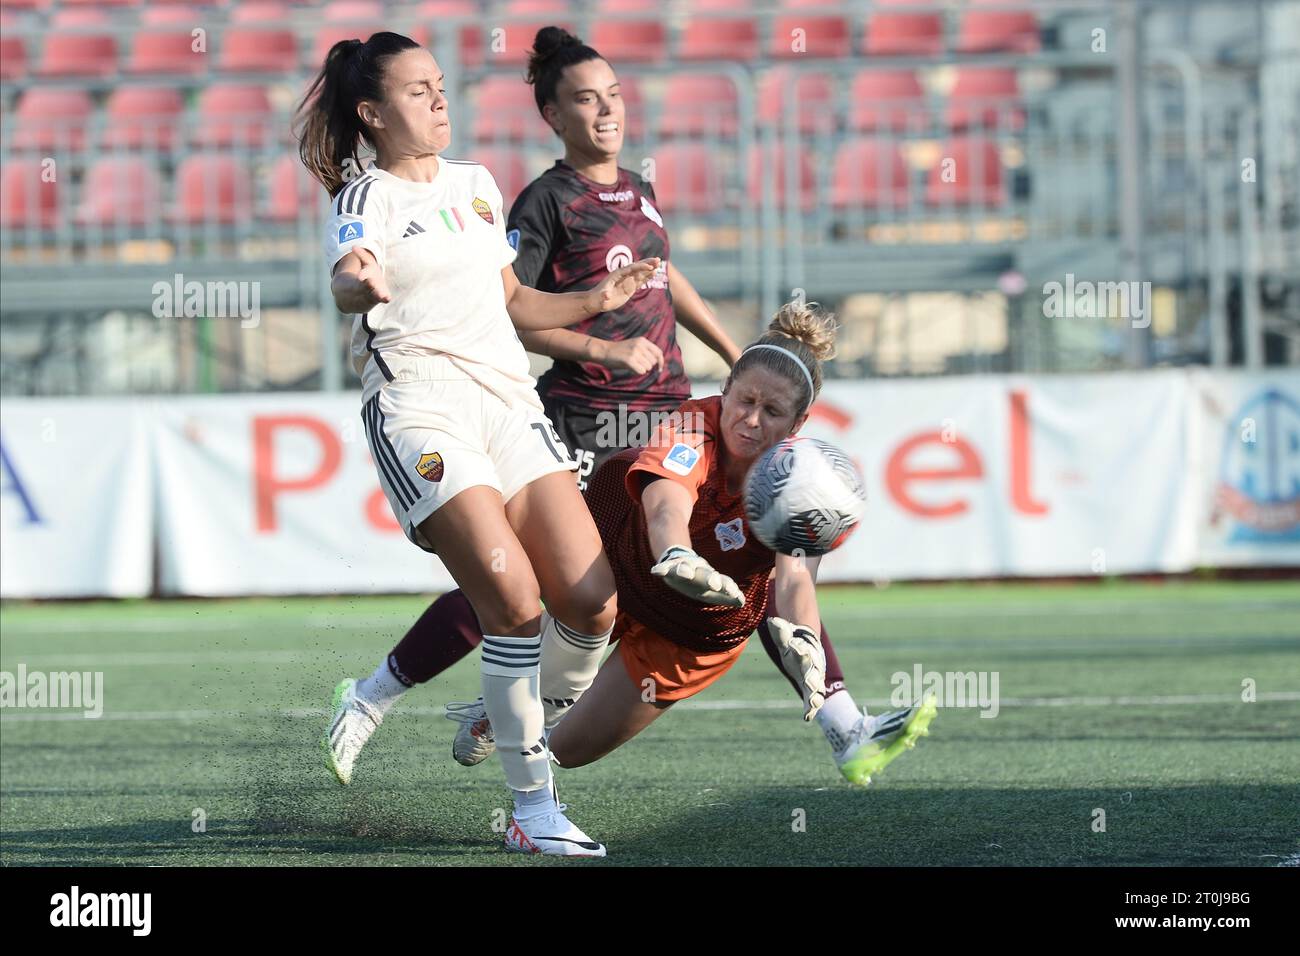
x=1130, y=148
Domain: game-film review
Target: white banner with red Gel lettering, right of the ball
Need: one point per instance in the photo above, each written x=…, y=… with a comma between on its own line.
x=1004, y=475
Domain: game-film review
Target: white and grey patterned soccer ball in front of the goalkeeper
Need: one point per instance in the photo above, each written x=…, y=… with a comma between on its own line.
x=804, y=498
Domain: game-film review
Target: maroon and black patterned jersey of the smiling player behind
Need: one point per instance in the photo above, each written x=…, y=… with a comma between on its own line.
x=571, y=233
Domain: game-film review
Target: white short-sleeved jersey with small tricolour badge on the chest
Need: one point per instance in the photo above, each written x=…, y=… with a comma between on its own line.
x=443, y=246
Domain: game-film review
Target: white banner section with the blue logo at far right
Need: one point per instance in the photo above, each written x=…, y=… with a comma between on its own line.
x=1249, y=498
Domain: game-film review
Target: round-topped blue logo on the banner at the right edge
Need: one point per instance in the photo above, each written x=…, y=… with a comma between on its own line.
x=1260, y=478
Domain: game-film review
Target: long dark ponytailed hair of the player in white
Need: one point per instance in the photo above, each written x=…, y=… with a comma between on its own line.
x=330, y=132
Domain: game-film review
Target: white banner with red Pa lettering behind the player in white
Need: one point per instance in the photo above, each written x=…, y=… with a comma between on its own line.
x=276, y=495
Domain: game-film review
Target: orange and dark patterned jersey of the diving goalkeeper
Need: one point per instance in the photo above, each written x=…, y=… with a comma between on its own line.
x=687, y=449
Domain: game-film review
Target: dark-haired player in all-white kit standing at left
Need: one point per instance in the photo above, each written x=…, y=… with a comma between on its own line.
x=469, y=460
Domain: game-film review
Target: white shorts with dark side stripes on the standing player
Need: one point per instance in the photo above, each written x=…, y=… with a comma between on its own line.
x=435, y=432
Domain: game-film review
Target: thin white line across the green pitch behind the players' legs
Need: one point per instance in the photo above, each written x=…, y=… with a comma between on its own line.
x=1168, y=700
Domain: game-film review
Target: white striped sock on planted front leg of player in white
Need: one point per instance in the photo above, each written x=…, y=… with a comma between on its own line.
x=510, y=684
